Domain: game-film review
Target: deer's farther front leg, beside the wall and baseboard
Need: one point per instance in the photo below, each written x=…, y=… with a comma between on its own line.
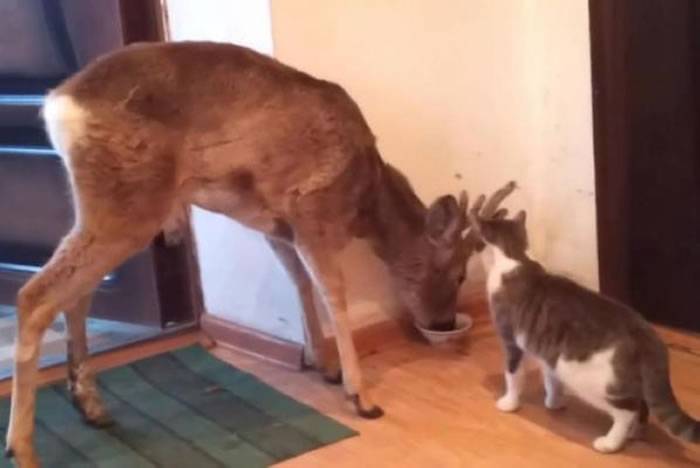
x=315, y=352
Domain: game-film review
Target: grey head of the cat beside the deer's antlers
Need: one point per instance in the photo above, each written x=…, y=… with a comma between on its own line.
x=507, y=235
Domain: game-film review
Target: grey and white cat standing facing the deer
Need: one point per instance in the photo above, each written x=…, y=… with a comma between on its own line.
x=601, y=350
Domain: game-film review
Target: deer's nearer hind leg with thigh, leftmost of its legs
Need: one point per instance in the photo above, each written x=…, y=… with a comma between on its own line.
x=74, y=270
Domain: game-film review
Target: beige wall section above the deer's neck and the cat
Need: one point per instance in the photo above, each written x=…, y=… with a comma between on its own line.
x=467, y=93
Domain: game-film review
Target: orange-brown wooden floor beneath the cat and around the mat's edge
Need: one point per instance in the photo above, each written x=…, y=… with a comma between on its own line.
x=440, y=413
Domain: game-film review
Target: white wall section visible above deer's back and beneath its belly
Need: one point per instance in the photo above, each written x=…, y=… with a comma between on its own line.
x=241, y=278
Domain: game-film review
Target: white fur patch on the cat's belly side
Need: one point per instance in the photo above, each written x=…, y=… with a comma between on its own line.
x=589, y=379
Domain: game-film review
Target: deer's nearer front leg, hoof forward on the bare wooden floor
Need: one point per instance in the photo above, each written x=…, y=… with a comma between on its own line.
x=328, y=277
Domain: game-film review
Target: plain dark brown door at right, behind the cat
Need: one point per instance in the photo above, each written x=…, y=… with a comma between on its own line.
x=646, y=81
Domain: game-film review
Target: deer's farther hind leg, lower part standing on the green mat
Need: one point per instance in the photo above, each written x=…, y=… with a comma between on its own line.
x=81, y=379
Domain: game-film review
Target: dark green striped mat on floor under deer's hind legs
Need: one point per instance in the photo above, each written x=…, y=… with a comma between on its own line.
x=180, y=409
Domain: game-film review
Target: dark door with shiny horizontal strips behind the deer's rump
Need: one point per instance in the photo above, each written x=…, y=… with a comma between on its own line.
x=42, y=42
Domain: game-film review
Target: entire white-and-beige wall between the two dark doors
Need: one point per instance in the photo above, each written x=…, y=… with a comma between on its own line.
x=461, y=93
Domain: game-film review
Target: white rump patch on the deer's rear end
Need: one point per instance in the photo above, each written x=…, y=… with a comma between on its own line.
x=65, y=121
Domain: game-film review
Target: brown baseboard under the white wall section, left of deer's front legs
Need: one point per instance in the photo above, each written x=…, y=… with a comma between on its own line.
x=232, y=335
